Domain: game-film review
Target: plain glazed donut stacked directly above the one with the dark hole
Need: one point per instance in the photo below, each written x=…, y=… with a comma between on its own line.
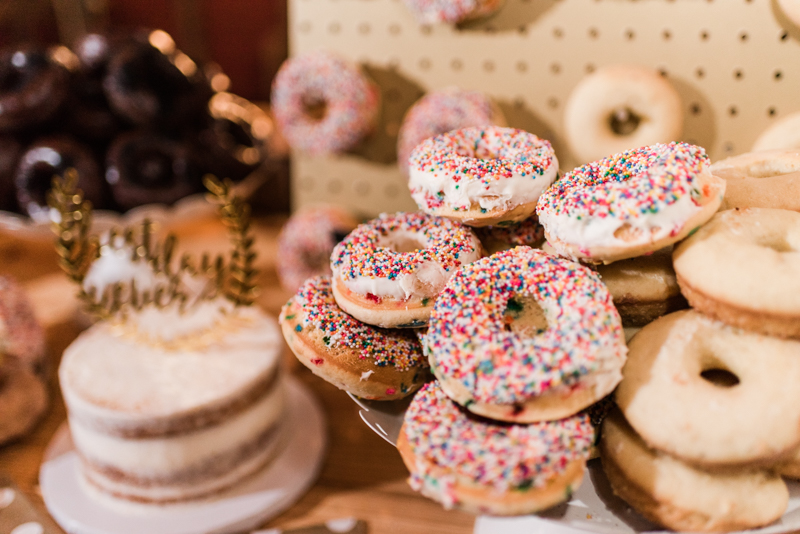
x=743, y=268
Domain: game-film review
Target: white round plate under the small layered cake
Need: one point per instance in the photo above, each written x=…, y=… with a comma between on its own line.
x=76, y=507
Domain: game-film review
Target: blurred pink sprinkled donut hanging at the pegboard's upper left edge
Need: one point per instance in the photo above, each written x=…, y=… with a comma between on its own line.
x=323, y=104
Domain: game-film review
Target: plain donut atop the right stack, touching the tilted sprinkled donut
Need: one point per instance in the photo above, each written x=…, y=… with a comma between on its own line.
x=766, y=179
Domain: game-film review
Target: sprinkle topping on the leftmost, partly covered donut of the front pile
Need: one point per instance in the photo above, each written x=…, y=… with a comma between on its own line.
x=395, y=347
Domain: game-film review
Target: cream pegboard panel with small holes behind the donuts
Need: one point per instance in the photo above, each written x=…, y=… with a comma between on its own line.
x=735, y=63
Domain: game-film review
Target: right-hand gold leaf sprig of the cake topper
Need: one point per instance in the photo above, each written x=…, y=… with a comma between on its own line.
x=235, y=214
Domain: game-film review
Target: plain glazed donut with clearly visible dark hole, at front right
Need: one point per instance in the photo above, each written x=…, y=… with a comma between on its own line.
x=669, y=396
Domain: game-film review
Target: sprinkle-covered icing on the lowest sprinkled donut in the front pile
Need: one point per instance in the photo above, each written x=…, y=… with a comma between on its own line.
x=501, y=457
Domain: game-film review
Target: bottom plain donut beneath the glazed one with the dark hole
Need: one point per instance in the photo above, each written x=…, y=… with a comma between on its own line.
x=684, y=498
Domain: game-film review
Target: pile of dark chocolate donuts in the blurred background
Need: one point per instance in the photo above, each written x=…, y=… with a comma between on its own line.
x=138, y=119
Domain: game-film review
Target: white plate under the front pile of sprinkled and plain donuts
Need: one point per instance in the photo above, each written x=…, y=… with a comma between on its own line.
x=593, y=508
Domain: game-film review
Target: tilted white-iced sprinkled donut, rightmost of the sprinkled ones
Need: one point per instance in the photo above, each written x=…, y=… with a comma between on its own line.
x=630, y=204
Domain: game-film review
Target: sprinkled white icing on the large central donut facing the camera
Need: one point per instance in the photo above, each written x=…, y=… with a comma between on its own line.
x=469, y=343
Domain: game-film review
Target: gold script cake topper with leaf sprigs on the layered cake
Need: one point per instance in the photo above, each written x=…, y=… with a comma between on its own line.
x=77, y=250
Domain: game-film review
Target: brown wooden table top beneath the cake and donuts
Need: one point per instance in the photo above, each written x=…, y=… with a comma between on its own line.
x=362, y=477
